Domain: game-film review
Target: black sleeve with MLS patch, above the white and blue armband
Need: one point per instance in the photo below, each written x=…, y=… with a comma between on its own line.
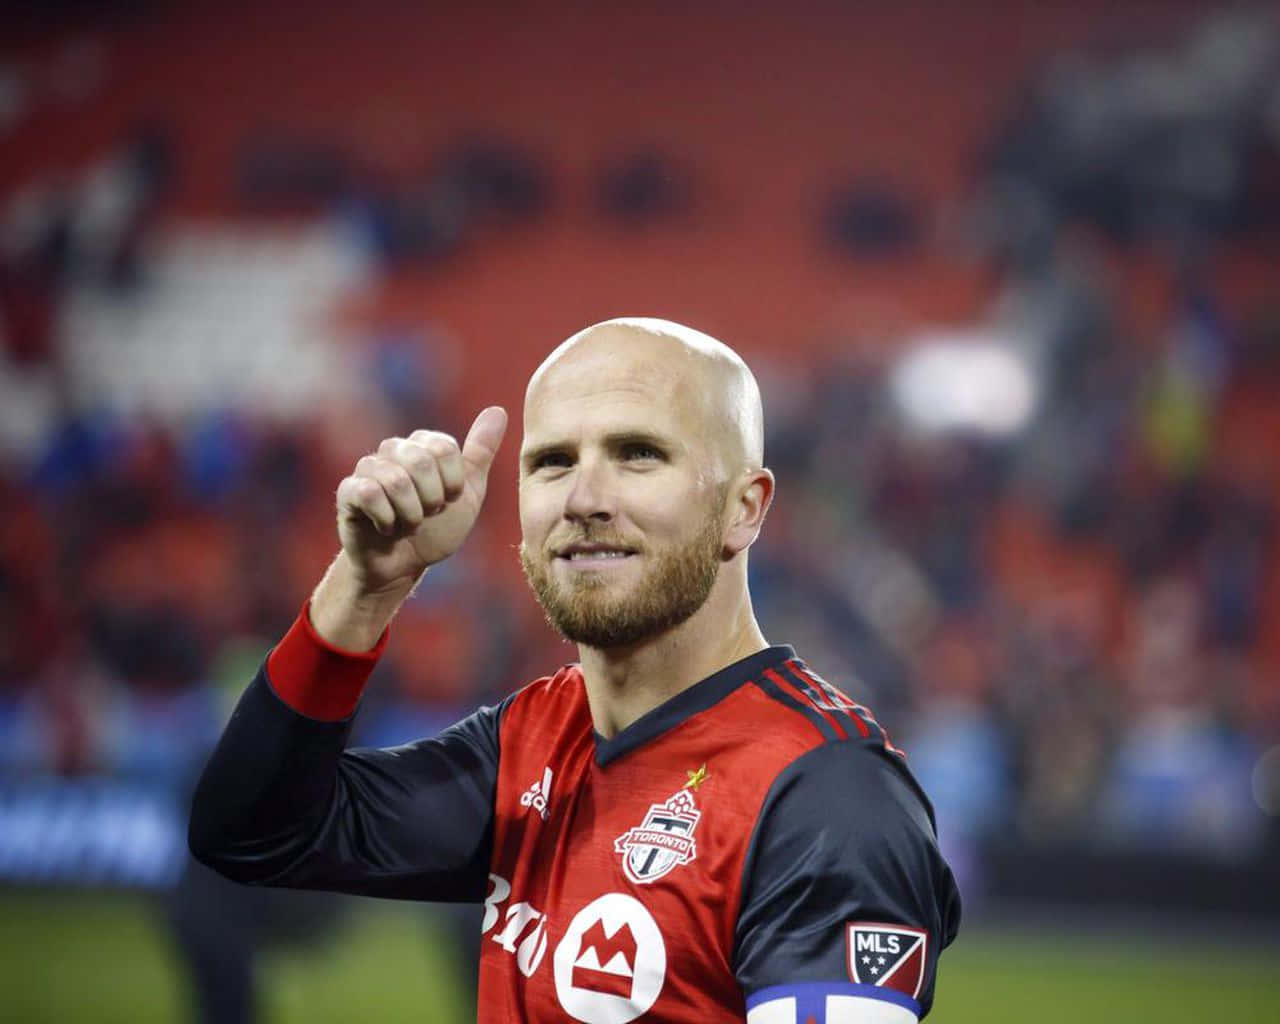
x=844, y=865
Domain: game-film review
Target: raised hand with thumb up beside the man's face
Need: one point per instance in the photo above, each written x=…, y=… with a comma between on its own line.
x=414, y=501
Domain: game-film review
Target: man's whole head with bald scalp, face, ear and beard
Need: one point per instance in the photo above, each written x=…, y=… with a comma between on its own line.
x=641, y=481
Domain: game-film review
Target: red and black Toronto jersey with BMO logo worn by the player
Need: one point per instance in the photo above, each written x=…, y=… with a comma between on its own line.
x=753, y=849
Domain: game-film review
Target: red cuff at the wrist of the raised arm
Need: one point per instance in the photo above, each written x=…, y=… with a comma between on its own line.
x=317, y=679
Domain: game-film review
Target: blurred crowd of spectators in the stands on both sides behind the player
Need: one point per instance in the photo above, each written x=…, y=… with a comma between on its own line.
x=1066, y=627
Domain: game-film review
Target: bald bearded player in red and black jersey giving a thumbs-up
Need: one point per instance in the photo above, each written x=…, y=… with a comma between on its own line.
x=689, y=825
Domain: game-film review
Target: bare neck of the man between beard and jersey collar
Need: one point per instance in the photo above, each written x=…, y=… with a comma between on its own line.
x=624, y=684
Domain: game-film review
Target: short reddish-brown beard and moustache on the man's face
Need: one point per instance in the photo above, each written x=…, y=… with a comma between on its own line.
x=675, y=587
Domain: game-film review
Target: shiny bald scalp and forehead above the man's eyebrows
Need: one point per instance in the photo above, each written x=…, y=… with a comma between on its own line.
x=678, y=368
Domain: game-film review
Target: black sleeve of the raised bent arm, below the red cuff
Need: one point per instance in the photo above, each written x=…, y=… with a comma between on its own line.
x=282, y=803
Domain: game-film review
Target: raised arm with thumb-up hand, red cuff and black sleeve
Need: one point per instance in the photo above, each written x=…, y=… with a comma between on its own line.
x=281, y=802
